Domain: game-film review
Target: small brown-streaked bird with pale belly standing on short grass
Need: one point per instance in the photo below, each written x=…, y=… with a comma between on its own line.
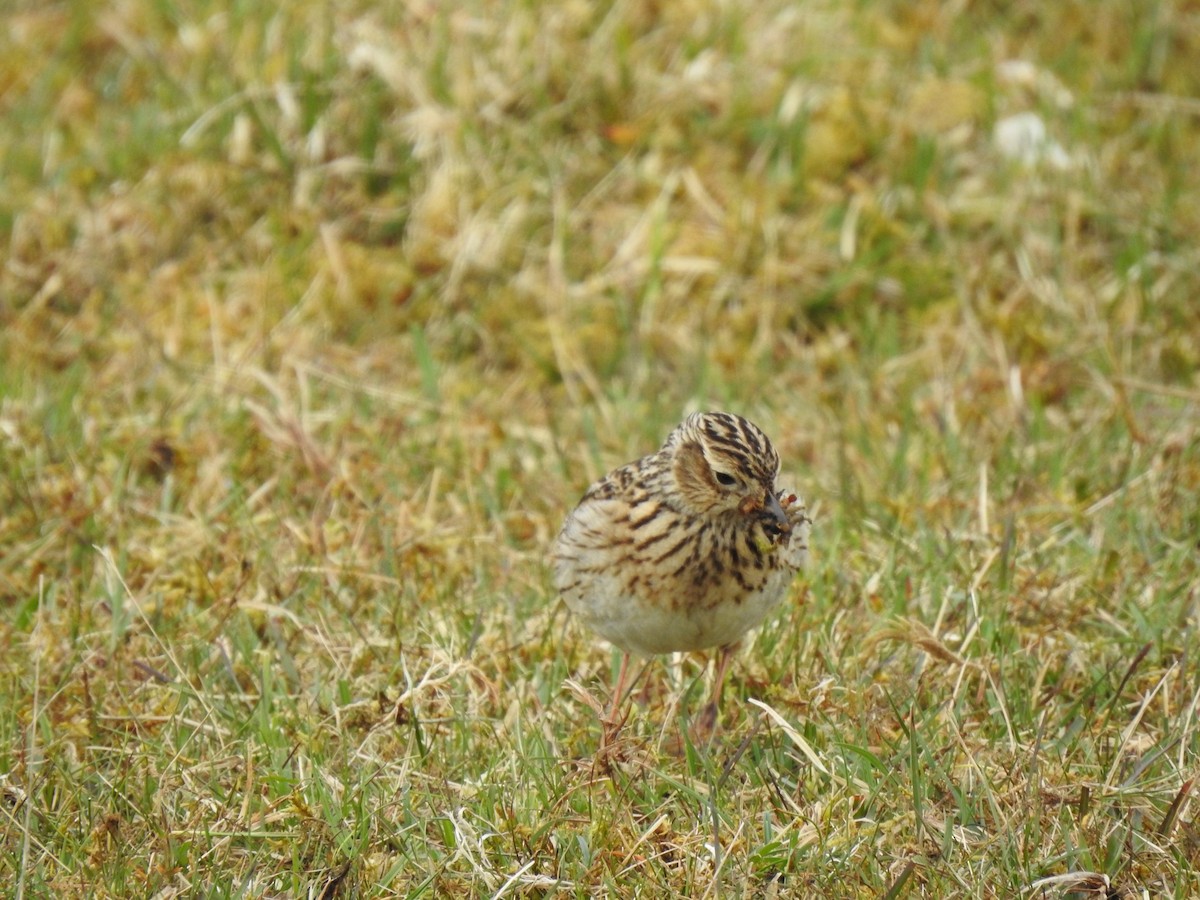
x=686, y=549
